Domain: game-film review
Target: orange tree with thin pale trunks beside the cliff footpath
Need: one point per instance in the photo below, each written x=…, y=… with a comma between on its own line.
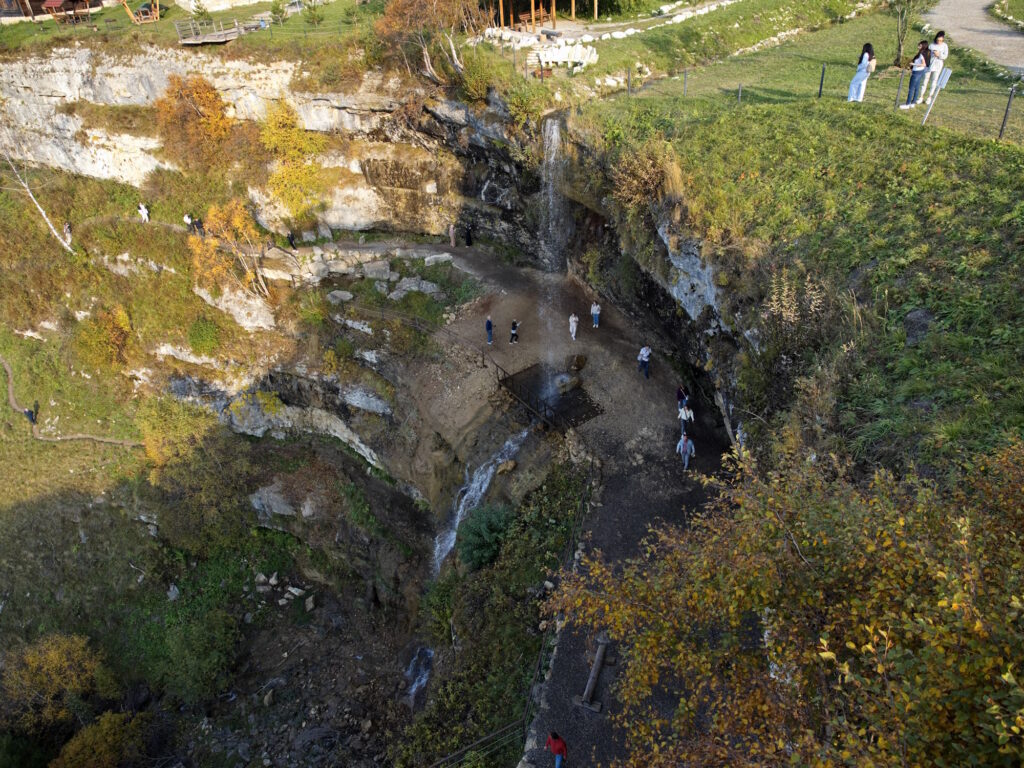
x=231, y=252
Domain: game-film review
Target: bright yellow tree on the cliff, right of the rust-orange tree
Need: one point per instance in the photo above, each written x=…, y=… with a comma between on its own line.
x=296, y=179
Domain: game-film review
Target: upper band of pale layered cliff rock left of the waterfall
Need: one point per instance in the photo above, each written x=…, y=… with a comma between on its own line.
x=446, y=164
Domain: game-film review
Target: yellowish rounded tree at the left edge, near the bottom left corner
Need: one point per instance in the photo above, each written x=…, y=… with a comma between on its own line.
x=40, y=682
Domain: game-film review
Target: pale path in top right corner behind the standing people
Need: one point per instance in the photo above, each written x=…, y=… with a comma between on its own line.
x=969, y=24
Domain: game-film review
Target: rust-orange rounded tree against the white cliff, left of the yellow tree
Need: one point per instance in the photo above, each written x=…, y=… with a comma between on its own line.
x=193, y=121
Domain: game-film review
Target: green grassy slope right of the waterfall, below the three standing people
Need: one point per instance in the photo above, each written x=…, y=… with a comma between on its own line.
x=935, y=219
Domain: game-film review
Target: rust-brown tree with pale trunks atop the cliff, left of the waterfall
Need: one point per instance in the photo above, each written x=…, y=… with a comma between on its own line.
x=430, y=27
